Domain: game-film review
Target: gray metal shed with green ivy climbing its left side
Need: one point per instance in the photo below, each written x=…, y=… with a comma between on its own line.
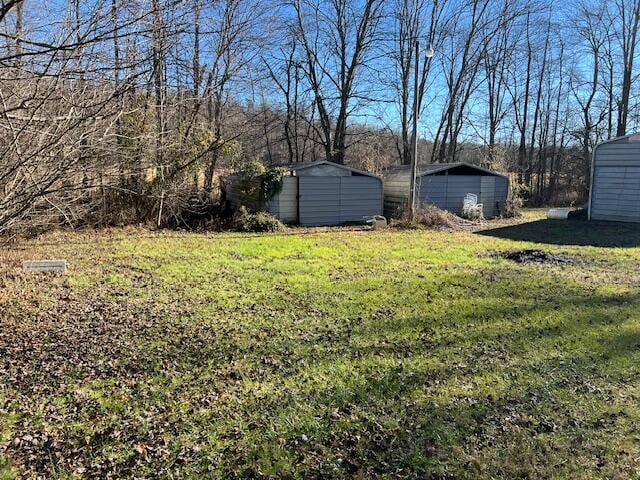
x=318, y=194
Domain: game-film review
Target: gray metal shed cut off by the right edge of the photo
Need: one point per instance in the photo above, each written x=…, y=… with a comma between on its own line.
x=615, y=180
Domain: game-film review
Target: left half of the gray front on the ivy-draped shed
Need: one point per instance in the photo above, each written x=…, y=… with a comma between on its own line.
x=319, y=200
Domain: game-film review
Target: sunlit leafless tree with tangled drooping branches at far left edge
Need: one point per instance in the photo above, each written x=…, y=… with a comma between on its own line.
x=50, y=111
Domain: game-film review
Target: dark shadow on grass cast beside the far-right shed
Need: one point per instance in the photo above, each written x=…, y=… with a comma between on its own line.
x=571, y=232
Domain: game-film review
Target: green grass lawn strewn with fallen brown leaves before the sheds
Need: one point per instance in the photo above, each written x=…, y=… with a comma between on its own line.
x=394, y=354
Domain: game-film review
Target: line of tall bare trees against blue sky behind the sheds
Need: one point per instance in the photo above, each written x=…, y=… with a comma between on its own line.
x=127, y=111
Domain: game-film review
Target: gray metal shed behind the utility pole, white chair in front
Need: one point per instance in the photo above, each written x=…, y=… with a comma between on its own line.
x=445, y=185
